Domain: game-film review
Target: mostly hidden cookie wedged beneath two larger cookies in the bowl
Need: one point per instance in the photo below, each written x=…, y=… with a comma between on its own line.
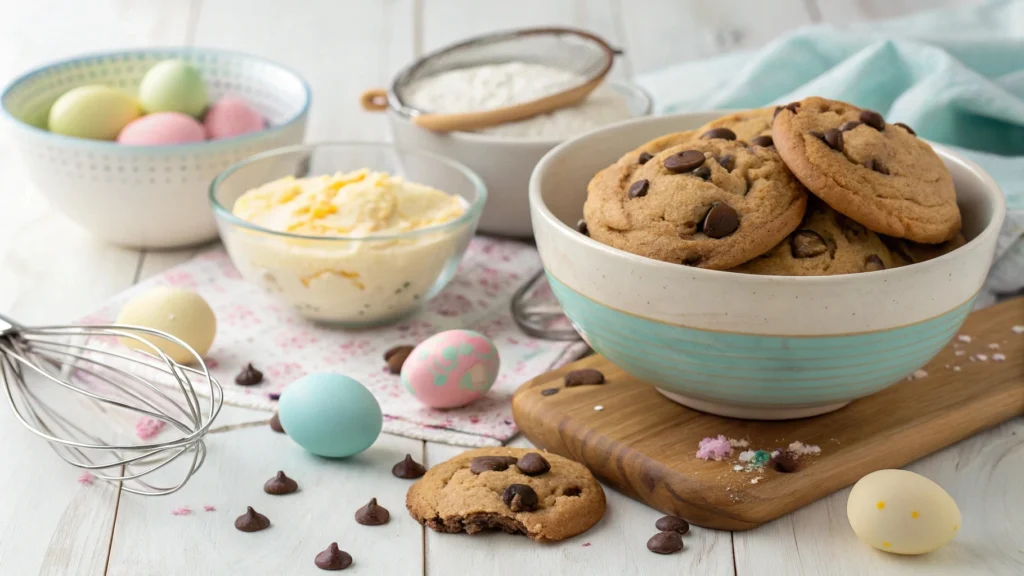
x=826, y=244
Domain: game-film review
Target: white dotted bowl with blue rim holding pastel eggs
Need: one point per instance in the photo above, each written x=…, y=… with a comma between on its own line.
x=148, y=197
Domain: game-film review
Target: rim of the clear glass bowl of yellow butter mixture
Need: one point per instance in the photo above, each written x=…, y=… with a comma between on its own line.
x=472, y=215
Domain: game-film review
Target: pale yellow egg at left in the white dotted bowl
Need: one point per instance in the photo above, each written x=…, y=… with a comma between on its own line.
x=94, y=112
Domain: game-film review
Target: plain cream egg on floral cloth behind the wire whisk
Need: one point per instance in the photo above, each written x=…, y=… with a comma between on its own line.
x=180, y=313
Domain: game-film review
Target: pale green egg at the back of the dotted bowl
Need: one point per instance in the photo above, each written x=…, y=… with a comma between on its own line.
x=174, y=87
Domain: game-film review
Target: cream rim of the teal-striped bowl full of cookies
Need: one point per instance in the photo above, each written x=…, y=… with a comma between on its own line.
x=991, y=187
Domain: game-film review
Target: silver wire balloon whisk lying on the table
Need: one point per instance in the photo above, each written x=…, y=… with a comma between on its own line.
x=72, y=387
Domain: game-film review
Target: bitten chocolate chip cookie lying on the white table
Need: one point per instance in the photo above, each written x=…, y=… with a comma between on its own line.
x=547, y=498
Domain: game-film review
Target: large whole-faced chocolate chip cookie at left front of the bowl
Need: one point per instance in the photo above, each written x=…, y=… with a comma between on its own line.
x=711, y=202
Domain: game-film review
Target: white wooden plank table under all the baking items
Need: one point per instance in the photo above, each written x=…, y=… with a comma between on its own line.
x=52, y=271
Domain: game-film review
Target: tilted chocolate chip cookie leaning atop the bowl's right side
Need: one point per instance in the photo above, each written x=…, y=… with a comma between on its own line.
x=880, y=175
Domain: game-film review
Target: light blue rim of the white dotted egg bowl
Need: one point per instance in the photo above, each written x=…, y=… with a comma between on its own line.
x=170, y=52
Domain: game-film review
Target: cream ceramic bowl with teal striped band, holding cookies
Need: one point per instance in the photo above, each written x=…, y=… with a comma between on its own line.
x=747, y=346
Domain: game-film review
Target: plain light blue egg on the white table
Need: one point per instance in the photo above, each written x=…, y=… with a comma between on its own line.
x=330, y=416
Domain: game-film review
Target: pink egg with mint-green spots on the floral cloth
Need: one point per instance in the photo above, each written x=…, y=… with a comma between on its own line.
x=451, y=369
